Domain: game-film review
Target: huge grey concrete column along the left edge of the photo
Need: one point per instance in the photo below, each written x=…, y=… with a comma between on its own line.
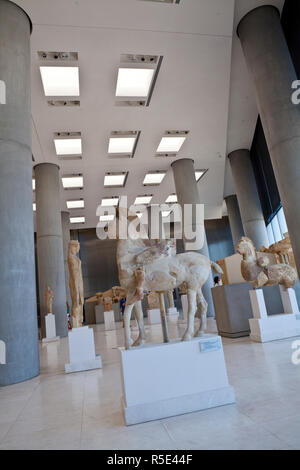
x=18, y=313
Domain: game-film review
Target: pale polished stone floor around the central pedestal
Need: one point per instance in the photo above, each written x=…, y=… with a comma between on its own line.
x=82, y=410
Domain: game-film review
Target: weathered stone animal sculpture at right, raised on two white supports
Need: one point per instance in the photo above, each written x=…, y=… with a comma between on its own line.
x=258, y=270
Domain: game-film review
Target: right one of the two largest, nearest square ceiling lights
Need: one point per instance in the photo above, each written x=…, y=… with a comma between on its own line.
x=134, y=82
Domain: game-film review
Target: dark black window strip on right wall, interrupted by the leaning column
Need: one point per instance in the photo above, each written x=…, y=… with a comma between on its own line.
x=263, y=169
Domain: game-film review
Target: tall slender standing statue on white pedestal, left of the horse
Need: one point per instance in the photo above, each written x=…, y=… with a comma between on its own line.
x=76, y=284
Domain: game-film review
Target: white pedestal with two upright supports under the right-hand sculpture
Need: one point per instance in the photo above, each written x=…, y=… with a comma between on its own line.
x=264, y=327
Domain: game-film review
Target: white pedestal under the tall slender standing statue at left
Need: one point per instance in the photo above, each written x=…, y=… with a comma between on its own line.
x=82, y=350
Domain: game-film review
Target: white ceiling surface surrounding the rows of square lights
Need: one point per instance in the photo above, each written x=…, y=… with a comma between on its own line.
x=202, y=86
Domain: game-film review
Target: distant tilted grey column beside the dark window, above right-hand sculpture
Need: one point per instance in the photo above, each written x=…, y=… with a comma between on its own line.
x=248, y=198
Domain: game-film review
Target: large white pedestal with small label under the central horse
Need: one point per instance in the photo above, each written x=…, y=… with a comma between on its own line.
x=169, y=379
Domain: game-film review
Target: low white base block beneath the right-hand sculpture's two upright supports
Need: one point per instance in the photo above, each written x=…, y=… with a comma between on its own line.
x=274, y=327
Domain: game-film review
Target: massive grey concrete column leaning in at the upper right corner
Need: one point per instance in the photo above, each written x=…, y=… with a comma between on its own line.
x=271, y=68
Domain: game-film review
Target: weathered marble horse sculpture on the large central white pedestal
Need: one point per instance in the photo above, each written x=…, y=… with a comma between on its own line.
x=150, y=265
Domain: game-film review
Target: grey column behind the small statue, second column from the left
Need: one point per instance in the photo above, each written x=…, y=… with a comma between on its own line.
x=50, y=244
